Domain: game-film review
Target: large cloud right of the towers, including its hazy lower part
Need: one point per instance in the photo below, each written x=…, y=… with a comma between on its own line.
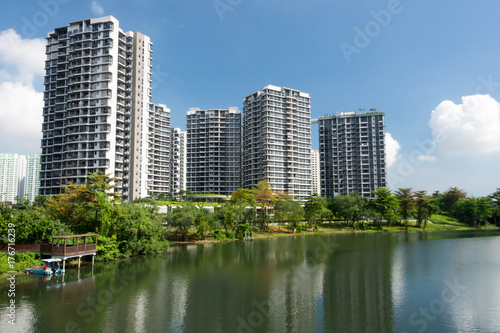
x=463, y=151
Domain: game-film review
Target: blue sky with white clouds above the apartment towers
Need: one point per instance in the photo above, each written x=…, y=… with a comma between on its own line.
x=405, y=57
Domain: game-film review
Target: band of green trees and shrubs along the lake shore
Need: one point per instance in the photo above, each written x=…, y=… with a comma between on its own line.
x=130, y=229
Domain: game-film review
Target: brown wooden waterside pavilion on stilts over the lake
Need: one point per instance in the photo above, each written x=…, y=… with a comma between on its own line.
x=71, y=248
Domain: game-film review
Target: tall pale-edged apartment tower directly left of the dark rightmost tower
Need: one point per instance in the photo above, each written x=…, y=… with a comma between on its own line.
x=277, y=140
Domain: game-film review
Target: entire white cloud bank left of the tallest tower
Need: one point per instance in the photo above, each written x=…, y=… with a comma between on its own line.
x=21, y=63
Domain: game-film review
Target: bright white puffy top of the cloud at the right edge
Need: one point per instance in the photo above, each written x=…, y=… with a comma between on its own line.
x=472, y=127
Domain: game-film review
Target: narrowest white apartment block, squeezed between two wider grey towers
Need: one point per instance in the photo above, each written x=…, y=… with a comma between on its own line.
x=178, y=162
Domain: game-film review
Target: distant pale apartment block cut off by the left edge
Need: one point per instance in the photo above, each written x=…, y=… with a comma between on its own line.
x=12, y=176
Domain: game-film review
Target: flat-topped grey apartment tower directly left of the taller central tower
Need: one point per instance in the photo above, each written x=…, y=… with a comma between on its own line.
x=213, y=150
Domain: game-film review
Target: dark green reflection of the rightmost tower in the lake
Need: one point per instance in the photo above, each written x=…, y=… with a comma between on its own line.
x=353, y=300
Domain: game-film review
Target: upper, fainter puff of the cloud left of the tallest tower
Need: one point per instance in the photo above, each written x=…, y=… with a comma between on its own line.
x=20, y=58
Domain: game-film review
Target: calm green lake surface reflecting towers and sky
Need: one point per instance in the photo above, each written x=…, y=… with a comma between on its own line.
x=416, y=282
